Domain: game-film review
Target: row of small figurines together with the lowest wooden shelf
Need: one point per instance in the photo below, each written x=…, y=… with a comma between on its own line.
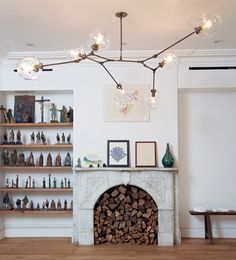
x=27, y=205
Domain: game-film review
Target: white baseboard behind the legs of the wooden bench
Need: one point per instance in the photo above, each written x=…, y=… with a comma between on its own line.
x=216, y=232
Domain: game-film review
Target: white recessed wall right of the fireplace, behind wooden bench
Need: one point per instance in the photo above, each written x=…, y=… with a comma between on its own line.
x=207, y=146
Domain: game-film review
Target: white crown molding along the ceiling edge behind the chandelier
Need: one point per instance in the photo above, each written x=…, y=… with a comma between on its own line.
x=126, y=54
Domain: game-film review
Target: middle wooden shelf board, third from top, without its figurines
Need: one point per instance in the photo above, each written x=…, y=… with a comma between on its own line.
x=40, y=168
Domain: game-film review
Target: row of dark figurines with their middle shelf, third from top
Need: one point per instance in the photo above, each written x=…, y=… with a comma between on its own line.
x=18, y=160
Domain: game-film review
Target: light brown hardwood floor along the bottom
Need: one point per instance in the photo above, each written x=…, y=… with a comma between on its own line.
x=62, y=248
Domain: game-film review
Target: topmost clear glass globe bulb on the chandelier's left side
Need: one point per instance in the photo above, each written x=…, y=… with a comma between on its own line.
x=98, y=40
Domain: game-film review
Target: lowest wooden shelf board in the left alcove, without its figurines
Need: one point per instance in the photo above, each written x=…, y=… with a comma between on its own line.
x=35, y=212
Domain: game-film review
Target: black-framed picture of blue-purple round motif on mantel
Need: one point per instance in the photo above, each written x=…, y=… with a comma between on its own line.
x=118, y=153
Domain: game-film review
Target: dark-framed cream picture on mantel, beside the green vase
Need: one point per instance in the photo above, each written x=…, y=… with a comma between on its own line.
x=145, y=154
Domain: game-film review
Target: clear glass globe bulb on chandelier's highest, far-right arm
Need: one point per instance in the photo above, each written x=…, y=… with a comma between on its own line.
x=208, y=23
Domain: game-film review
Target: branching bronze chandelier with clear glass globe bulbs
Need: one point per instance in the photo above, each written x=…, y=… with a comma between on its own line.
x=206, y=25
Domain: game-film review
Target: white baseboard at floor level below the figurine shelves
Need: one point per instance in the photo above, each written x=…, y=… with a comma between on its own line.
x=38, y=232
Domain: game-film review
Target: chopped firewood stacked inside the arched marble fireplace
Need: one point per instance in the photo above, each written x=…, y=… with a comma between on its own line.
x=125, y=214
